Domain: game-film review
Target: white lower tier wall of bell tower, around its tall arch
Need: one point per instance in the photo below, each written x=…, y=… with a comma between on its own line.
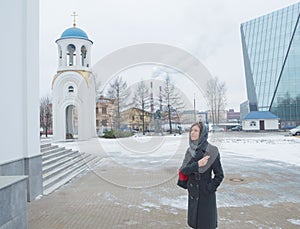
x=83, y=98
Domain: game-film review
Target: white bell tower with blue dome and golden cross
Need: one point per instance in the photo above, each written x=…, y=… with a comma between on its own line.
x=73, y=87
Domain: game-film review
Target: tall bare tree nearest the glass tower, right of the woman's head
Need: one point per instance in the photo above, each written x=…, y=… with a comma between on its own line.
x=216, y=98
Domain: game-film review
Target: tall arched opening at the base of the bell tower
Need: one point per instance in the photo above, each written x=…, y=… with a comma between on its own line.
x=71, y=122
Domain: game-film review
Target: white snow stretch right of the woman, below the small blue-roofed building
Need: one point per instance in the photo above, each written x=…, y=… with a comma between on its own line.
x=267, y=146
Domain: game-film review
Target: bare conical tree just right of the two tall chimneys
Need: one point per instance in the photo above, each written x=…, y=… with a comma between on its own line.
x=172, y=101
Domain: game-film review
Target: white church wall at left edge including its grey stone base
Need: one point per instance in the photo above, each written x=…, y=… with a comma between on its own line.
x=19, y=99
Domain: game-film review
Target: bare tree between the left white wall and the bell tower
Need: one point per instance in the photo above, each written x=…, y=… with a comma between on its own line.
x=45, y=114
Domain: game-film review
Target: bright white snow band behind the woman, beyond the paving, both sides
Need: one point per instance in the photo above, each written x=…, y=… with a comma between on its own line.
x=155, y=151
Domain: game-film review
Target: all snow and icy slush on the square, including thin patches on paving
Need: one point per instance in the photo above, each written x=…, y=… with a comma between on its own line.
x=267, y=163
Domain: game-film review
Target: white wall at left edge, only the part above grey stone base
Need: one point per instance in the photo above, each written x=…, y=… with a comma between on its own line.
x=19, y=87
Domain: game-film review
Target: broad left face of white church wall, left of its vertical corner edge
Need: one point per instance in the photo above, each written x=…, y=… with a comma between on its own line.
x=11, y=88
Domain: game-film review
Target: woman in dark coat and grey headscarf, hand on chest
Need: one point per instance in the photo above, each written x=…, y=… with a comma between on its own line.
x=195, y=174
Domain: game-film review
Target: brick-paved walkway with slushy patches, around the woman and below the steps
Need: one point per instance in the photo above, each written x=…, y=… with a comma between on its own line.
x=254, y=194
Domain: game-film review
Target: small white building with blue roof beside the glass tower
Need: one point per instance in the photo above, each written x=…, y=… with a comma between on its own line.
x=260, y=120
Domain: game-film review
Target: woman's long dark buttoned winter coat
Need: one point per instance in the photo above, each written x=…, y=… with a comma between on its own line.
x=202, y=207
